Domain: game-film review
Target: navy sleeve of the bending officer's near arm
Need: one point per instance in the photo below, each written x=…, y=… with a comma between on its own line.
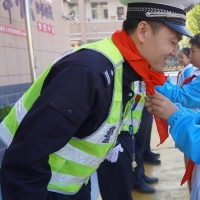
x=61, y=109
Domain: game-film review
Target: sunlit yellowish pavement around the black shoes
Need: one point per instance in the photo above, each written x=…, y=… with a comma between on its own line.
x=170, y=173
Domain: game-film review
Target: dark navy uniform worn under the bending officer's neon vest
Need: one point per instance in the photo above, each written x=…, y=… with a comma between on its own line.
x=74, y=101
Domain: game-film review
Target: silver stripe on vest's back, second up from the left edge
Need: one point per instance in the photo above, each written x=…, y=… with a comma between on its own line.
x=20, y=110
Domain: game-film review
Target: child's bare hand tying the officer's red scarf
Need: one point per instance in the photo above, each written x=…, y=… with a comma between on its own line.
x=160, y=106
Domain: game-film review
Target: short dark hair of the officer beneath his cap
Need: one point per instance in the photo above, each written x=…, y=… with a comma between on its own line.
x=130, y=25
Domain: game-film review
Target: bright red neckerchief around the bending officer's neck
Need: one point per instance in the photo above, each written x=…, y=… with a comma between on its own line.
x=151, y=78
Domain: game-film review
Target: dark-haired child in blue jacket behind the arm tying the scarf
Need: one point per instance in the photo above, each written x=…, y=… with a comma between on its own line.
x=188, y=94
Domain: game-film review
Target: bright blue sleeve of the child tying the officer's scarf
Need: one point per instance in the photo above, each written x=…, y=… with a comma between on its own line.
x=185, y=130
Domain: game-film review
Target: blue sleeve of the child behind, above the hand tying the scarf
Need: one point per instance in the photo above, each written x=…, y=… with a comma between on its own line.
x=187, y=96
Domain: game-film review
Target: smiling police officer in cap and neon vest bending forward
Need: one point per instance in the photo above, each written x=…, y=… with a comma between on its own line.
x=61, y=129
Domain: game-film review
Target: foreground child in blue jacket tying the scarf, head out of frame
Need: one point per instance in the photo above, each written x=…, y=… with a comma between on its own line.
x=185, y=130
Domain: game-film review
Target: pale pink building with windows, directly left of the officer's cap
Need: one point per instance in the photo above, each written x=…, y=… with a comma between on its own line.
x=94, y=19
